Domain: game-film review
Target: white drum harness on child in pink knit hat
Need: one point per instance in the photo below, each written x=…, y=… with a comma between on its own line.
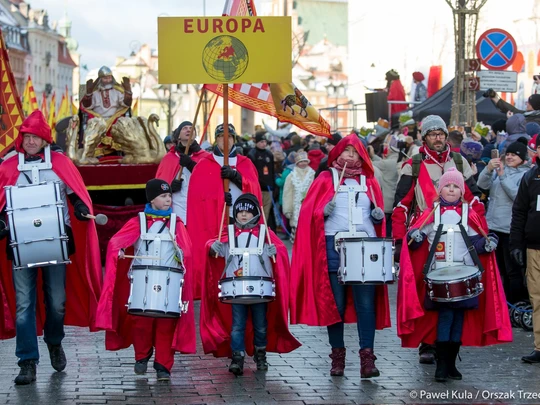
x=449, y=229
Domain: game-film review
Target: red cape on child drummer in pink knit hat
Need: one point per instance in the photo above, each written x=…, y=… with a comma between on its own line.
x=487, y=325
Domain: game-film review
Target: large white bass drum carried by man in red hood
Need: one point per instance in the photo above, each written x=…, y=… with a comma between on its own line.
x=36, y=222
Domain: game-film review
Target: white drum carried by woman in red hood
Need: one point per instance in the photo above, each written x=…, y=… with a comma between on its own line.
x=365, y=260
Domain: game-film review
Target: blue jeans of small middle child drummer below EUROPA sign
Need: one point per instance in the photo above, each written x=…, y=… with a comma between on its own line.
x=260, y=325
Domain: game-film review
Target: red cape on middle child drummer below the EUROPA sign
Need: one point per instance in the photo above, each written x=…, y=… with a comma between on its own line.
x=216, y=317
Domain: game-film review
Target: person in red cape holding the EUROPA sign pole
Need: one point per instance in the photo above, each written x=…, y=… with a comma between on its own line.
x=207, y=197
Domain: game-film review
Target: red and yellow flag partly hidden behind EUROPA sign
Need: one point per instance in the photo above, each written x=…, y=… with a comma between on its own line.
x=281, y=100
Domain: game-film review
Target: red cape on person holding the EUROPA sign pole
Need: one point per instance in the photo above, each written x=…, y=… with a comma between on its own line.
x=206, y=201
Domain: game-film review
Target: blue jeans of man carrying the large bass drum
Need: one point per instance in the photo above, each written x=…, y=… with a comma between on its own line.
x=54, y=290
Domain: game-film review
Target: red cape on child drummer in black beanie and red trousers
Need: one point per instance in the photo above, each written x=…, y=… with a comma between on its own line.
x=112, y=314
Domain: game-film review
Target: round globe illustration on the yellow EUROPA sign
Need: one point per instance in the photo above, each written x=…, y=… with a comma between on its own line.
x=225, y=58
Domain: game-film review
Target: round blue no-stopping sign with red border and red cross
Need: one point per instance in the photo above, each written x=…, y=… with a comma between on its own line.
x=496, y=49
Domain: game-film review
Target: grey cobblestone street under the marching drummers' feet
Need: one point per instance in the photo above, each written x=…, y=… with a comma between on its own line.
x=95, y=376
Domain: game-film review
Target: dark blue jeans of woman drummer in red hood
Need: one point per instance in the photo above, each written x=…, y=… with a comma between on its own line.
x=364, y=304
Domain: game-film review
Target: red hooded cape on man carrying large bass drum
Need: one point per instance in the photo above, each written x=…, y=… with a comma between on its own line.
x=83, y=275
